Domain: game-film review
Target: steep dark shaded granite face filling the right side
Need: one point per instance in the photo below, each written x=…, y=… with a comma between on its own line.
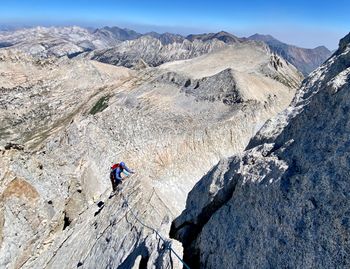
x=284, y=202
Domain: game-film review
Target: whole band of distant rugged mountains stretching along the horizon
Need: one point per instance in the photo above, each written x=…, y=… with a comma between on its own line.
x=127, y=47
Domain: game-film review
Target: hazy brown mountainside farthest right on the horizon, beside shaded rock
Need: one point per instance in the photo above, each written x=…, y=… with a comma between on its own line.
x=306, y=60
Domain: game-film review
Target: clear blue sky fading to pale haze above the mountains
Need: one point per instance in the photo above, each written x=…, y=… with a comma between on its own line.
x=304, y=23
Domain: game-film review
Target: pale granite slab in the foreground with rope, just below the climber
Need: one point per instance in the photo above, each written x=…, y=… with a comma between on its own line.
x=110, y=234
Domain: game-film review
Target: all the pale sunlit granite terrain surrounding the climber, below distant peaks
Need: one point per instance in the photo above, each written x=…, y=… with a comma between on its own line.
x=66, y=121
